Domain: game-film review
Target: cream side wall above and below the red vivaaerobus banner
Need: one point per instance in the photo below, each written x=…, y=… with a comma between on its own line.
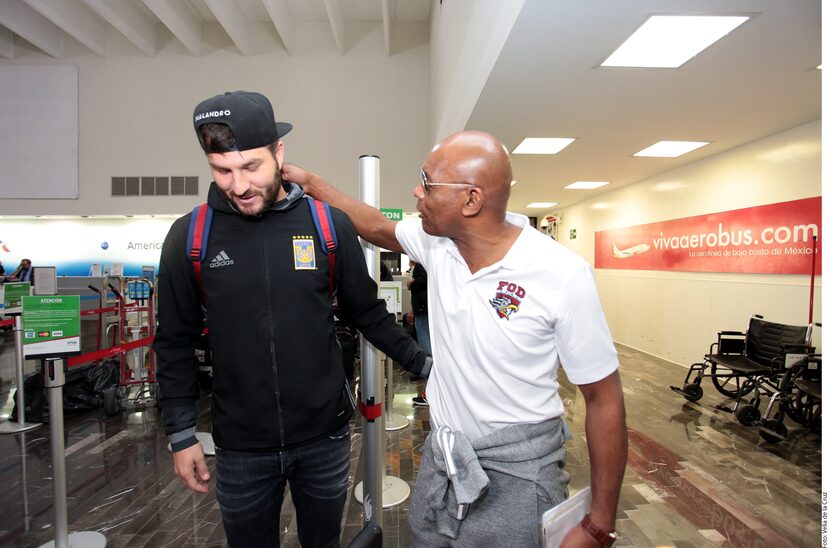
x=676, y=315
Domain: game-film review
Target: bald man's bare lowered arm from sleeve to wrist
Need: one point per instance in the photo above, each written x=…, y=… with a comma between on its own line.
x=607, y=449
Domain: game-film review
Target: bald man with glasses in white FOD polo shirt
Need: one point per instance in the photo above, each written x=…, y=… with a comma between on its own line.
x=508, y=307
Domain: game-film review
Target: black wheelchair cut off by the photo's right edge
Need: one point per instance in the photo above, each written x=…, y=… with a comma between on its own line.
x=799, y=397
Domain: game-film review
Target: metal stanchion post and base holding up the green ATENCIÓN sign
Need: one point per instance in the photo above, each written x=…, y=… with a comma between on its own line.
x=53, y=380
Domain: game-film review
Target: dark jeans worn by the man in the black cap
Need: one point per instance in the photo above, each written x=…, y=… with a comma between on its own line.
x=250, y=487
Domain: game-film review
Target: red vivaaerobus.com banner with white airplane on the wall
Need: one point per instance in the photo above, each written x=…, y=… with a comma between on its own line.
x=769, y=239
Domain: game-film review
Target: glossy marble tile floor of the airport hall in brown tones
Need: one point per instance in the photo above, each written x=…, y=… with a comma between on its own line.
x=695, y=477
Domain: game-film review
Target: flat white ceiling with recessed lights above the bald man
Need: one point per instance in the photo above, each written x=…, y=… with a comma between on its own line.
x=758, y=80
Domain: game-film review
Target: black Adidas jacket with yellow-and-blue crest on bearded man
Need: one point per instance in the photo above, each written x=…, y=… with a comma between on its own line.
x=278, y=372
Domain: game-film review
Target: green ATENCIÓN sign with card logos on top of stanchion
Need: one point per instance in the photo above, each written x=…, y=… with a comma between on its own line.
x=51, y=325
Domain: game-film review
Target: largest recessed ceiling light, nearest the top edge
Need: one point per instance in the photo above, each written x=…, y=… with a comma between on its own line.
x=668, y=41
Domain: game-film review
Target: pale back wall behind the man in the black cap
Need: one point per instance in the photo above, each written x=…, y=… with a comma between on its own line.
x=135, y=112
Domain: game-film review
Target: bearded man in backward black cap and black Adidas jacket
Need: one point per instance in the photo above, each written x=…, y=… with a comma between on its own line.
x=281, y=401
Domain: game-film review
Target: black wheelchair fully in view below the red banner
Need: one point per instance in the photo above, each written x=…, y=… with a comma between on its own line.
x=743, y=362
